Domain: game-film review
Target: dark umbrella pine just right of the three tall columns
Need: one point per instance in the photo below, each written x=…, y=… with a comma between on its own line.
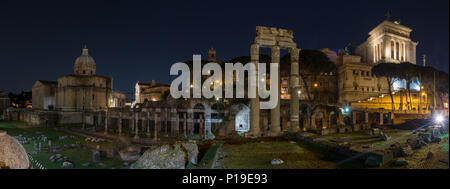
x=312, y=63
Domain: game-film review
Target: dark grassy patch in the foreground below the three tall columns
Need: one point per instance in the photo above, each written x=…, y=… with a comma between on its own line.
x=255, y=154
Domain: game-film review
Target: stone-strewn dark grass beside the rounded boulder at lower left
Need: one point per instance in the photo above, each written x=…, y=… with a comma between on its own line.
x=77, y=156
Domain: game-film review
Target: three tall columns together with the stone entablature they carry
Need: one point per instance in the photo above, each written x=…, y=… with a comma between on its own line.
x=275, y=39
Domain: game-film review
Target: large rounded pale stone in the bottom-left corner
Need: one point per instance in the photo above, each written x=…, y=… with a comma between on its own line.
x=12, y=153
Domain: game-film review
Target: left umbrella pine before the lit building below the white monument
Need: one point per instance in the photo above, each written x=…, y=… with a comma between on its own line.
x=390, y=71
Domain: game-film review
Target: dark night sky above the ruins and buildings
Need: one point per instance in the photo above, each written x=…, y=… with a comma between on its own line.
x=139, y=41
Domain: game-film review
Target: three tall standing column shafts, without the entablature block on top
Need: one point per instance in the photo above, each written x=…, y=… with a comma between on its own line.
x=275, y=128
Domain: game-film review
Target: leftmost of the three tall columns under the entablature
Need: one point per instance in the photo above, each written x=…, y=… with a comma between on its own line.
x=254, y=102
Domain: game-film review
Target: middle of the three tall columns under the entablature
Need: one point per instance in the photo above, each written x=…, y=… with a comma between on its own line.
x=275, y=112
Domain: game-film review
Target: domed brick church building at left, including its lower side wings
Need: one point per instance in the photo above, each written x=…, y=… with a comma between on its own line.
x=83, y=90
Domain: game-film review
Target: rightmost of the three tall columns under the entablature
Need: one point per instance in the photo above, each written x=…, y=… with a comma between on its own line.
x=294, y=86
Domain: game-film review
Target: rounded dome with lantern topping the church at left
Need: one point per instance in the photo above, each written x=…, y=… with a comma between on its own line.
x=84, y=64
